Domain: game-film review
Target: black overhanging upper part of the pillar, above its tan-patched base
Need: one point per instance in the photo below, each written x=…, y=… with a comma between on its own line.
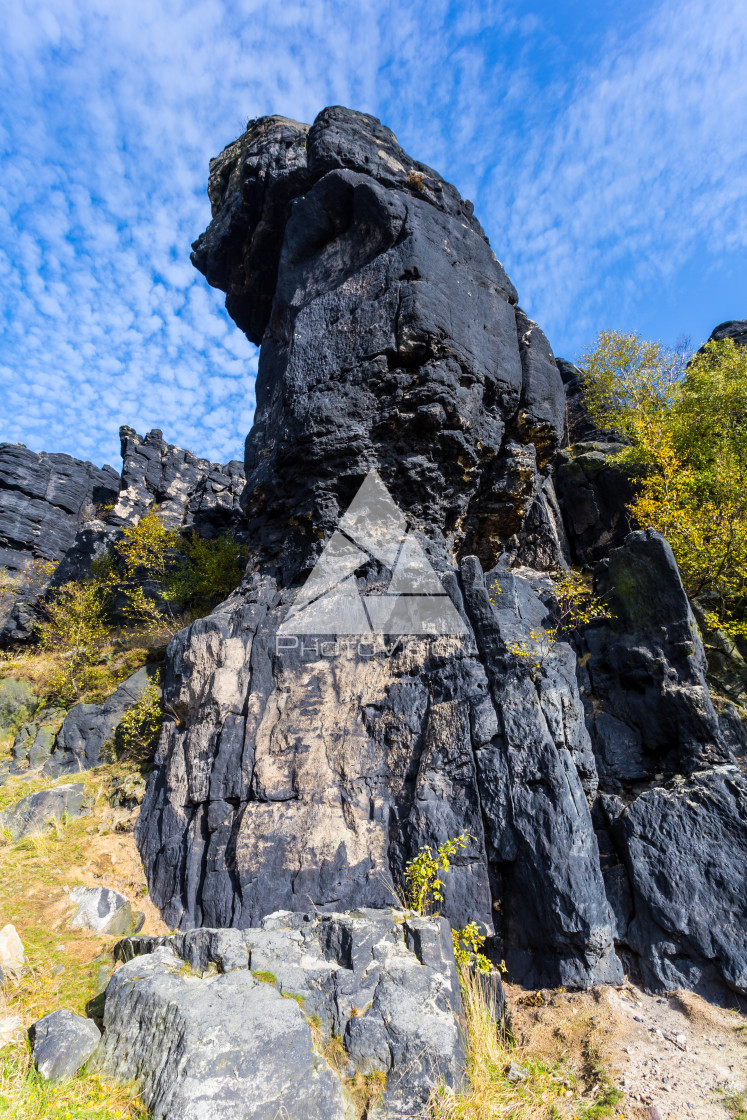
x=391, y=341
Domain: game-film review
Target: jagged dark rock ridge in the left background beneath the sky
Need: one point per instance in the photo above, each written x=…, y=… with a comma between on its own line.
x=58, y=515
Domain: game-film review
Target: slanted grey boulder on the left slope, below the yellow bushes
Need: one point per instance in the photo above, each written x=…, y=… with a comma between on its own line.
x=89, y=726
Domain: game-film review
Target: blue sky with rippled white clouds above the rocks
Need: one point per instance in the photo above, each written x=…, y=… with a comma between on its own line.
x=604, y=145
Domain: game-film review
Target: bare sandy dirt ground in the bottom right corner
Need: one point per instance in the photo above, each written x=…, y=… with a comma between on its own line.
x=674, y=1057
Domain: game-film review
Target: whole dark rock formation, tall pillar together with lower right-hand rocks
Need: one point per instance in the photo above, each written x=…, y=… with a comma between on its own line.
x=608, y=816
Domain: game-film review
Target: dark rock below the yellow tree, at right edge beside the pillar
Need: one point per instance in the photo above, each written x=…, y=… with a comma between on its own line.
x=674, y=814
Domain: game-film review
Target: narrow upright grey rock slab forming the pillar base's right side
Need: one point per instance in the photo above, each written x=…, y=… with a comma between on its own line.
x=536, y=772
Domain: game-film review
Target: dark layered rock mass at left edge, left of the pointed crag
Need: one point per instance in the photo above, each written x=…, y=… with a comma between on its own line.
x=44, y=500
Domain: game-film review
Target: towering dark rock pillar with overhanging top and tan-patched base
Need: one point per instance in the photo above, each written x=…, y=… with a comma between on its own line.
x=391, y=341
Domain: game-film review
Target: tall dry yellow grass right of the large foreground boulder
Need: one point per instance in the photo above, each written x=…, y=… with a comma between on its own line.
x=553, y=1089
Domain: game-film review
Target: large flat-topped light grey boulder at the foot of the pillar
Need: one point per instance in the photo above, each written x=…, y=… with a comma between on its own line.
x=236, y=1023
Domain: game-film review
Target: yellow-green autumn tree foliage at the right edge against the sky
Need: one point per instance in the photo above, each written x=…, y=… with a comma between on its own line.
x=688, y=451
